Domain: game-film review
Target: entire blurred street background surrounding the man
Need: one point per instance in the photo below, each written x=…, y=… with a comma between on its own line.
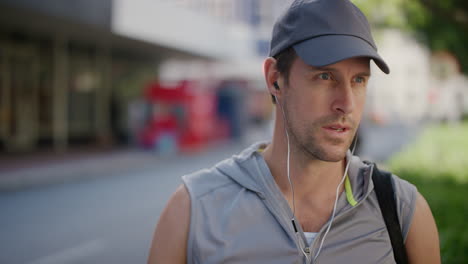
x=105, y=104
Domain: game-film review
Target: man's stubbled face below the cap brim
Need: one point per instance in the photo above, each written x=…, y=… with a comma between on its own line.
x=324, y=105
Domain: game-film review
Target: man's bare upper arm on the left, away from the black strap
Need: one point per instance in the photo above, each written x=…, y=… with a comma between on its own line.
x=170, y=238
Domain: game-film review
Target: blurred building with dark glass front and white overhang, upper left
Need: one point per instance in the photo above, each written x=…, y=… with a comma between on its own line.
x=69, y=70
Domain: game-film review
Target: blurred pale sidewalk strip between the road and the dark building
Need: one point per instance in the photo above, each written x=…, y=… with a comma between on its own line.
x=45, y=169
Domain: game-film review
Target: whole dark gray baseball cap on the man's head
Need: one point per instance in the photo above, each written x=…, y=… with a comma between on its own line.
x=324, y=32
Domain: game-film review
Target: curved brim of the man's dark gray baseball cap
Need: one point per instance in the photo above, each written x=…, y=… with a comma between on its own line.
x=330, y=49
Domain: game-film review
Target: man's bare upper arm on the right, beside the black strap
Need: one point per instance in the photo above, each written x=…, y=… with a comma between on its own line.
x=422, y=243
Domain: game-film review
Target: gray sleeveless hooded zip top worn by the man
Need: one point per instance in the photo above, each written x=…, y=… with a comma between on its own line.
x=238, y=215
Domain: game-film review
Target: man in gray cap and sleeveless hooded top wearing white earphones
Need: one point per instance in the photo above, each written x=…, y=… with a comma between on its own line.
x=303, y=198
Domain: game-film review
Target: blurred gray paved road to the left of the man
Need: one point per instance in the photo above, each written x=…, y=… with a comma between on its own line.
x=98, y=220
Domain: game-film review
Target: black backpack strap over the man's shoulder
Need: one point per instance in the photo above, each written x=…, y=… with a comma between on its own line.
x=383, y=187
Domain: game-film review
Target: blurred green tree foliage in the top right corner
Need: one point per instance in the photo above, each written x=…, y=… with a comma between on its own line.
x=442, y=25
